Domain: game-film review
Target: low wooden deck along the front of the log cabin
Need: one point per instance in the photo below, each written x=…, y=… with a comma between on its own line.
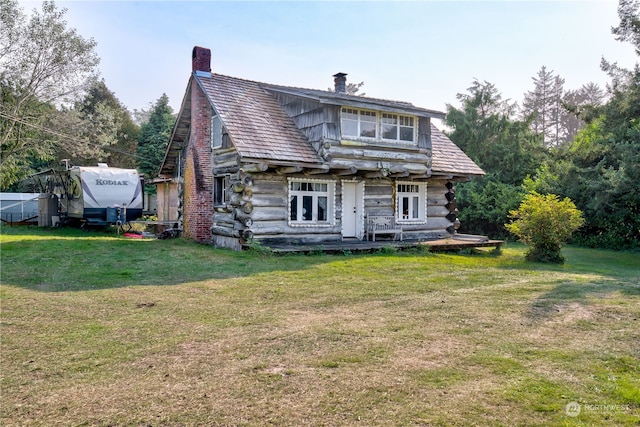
x=454, y=243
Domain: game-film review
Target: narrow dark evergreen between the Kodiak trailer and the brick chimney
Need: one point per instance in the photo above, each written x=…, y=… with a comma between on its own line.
x=154, y=137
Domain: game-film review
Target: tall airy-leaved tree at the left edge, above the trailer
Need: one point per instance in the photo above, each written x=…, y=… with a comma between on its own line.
x=43, y=65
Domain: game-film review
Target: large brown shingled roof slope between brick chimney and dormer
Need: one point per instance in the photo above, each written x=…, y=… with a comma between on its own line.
x=257, y=124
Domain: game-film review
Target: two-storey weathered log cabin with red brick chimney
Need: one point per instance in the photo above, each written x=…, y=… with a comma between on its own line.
x=257, y=162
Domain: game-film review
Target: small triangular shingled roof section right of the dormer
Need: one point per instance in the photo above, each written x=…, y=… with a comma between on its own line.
x=448, y=158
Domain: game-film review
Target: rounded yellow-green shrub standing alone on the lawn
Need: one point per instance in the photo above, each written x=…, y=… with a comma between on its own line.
x=545, y=223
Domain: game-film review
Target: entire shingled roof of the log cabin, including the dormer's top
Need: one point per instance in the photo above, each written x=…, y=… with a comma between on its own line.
x=260, y=128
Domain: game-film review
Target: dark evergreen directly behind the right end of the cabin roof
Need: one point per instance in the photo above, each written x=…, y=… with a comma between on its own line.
x=505, y=148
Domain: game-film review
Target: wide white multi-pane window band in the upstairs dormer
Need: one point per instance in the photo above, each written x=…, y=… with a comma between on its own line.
x=373, y=125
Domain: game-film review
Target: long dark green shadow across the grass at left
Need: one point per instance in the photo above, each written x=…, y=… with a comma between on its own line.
x=59, y=260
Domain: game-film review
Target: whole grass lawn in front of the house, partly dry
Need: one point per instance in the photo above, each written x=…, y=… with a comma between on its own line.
x=101, y=330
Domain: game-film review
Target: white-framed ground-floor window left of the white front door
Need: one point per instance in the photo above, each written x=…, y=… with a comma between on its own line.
x=311, y=202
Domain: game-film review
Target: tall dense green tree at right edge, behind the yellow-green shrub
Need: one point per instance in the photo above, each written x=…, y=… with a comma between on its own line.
x=600, y=170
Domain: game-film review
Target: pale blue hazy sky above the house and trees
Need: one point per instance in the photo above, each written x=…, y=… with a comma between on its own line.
x=423, y=52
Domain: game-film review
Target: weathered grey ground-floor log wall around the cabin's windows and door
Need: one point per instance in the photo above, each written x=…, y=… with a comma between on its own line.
x=257, y=210
